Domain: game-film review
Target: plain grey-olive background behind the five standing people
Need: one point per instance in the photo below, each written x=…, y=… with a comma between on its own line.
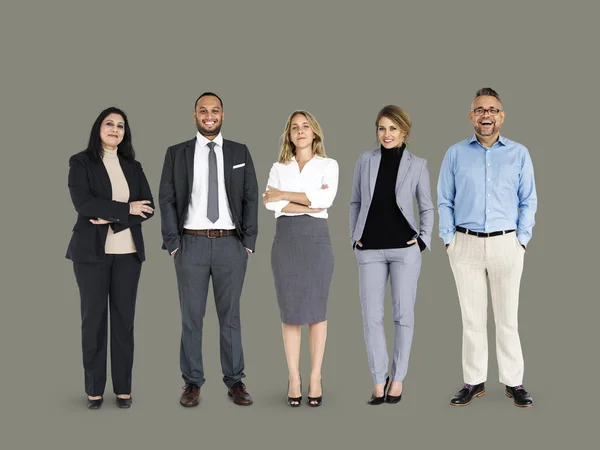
x=63, y=62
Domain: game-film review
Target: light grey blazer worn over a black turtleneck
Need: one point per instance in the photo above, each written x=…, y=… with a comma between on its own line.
x=412, y=181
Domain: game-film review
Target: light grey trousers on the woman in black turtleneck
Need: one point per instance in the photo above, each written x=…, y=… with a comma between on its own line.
x=402, y=265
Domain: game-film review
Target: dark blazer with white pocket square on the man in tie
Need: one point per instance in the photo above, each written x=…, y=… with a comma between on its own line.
x=176, y=189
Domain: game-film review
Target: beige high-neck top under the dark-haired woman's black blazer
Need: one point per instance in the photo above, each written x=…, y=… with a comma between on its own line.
x=122, y=242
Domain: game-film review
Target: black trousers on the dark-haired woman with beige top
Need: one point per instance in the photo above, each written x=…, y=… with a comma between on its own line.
x=113, y=281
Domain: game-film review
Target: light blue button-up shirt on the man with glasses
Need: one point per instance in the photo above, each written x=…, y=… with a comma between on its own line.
x=487, y=189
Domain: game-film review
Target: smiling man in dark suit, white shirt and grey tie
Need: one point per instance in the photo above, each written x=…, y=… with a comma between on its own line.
x=208, y=200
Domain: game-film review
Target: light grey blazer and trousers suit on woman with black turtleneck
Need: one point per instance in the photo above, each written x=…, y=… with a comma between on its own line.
x=401, y=265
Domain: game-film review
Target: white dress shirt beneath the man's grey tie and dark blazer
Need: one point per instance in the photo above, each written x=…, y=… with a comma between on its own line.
x=196, y=217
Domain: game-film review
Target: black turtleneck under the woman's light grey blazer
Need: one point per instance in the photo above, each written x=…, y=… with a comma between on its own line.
x=386, y=226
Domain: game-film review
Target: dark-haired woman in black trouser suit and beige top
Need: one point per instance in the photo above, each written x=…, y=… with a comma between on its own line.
x=112, y=198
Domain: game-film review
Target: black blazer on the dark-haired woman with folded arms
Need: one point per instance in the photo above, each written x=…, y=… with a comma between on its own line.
x=91, y=193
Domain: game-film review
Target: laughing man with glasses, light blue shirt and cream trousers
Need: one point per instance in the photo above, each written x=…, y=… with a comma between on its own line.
x=487, y=203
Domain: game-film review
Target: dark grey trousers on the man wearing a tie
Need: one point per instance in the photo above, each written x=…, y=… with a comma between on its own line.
x=224, y=259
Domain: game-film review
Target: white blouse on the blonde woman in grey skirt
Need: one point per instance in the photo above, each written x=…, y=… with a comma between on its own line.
x=315, y=173
